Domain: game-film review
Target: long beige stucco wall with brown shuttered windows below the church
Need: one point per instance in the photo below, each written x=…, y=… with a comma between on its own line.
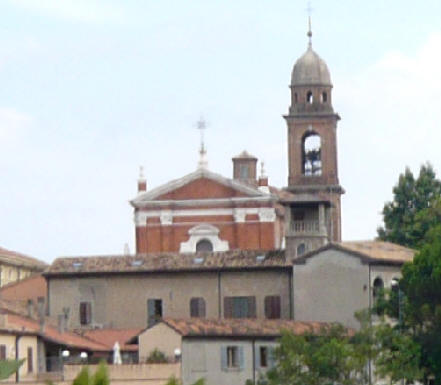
x=115, y=297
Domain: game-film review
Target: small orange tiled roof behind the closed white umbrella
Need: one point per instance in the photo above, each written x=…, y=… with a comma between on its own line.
x=108, y=337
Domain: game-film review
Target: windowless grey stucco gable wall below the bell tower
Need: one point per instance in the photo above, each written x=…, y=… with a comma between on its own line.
x=331, y=286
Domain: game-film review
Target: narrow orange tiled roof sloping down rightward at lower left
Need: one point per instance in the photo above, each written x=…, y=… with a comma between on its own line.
x=51, y=333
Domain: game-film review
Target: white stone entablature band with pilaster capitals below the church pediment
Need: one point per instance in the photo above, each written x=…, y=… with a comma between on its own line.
x=266, y=214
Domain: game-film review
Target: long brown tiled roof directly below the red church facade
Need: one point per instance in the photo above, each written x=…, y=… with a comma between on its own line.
x=169, y=262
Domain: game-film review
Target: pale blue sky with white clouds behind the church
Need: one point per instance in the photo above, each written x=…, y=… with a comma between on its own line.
x=90, y=90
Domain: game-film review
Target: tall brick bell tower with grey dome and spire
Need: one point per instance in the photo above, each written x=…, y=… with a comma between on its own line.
x=313, y=211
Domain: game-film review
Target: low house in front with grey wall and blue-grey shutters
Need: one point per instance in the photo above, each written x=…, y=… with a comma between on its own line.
x=223, y=352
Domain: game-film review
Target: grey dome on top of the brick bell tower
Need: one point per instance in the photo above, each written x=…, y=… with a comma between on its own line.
x=310, y=69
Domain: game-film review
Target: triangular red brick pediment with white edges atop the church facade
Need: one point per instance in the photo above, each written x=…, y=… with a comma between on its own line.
x=201, y=184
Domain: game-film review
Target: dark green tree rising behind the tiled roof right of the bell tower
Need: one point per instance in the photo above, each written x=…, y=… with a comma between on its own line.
x=411, y=213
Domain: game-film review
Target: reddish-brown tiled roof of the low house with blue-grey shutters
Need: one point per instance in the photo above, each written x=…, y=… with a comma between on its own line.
x=241, y=327
